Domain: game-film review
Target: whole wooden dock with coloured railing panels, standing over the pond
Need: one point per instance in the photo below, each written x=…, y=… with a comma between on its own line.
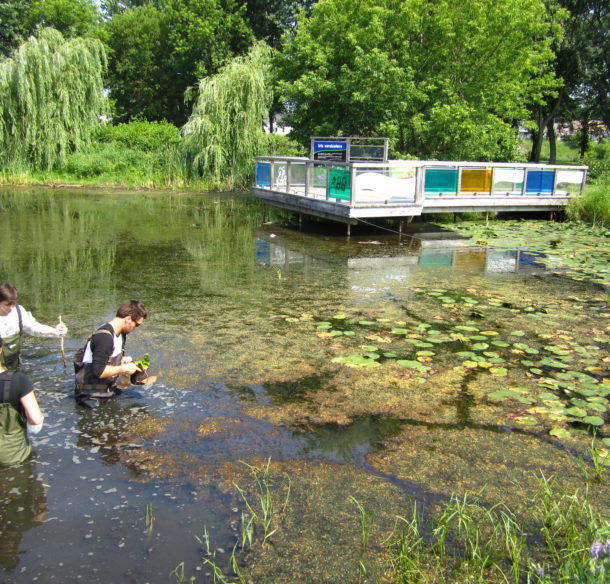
x=351, y=191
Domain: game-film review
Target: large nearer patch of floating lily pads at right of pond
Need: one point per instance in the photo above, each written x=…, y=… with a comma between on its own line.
x=546, y=376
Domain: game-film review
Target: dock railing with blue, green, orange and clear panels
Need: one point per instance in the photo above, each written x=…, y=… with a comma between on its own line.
x=434, y=184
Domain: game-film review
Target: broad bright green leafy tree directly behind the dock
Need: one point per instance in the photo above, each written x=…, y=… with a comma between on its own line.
x=443, y=79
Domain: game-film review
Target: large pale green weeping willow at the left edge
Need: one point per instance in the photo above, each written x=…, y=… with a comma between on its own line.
x=51, y=95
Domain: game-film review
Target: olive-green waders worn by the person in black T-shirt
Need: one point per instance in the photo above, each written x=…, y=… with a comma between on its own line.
x=14, y=445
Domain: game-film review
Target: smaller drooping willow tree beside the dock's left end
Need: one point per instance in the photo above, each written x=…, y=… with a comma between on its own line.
x=225, y=129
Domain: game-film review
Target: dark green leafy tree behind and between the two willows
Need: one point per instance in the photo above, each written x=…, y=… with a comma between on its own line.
x=178, y=44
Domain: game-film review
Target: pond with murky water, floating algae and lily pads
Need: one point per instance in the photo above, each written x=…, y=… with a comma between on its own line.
x=370, y=372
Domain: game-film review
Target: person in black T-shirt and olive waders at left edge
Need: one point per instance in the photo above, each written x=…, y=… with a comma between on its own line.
x=19, y=414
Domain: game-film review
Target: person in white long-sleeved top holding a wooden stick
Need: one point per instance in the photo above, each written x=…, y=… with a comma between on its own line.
x=16, y=320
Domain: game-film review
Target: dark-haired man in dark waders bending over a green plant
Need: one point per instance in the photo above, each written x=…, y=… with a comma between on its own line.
x=99, y=363
